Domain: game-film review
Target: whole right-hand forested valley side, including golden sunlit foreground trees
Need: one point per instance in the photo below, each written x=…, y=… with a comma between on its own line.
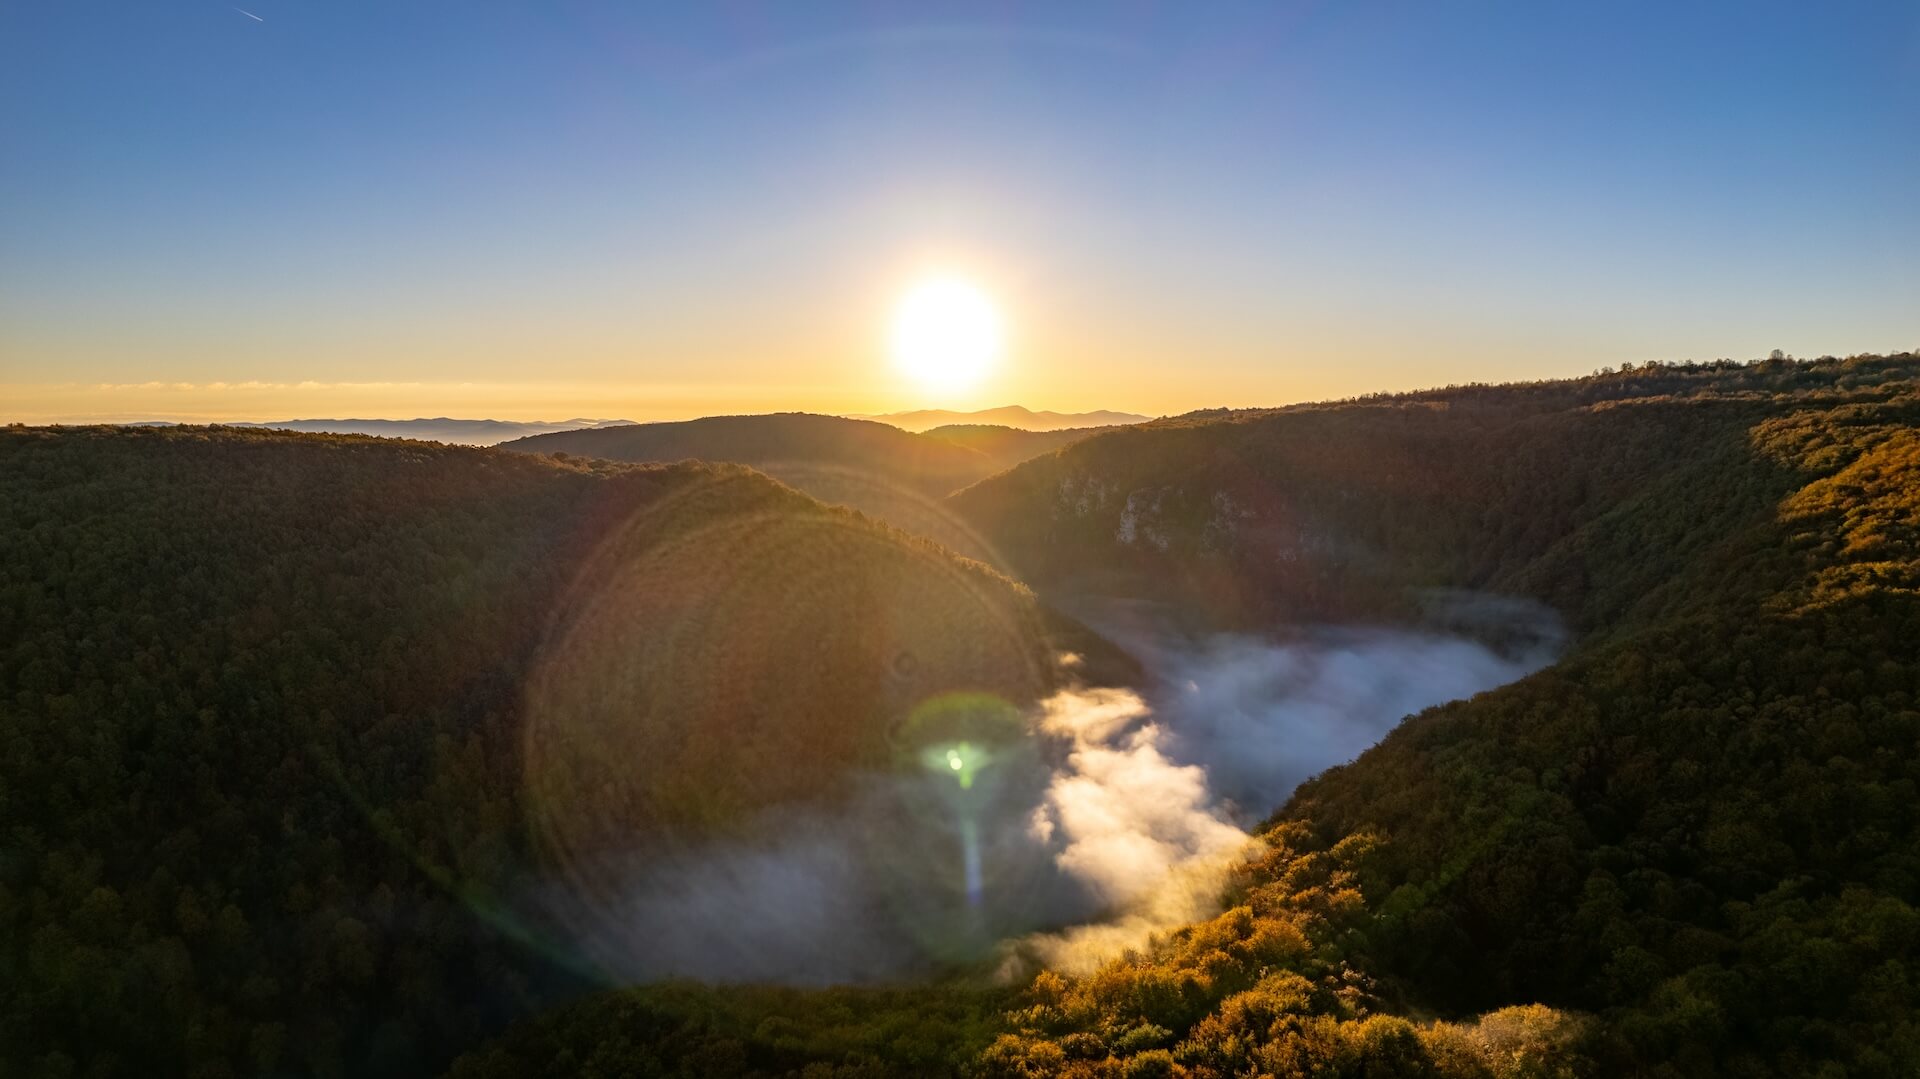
x=1692, y=848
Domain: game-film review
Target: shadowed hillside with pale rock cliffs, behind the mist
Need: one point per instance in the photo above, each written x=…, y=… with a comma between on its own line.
x=1616, y=498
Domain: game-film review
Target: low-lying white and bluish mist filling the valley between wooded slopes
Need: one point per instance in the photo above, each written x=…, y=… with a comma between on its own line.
x=1116, y=819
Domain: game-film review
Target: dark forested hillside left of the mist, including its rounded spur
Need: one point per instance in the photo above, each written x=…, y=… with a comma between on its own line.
x=291, y=721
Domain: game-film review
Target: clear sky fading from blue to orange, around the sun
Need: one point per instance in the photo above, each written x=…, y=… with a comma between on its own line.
x=425, y=206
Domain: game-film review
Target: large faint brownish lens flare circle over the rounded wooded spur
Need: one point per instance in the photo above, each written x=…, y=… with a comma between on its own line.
x=731, y=671
